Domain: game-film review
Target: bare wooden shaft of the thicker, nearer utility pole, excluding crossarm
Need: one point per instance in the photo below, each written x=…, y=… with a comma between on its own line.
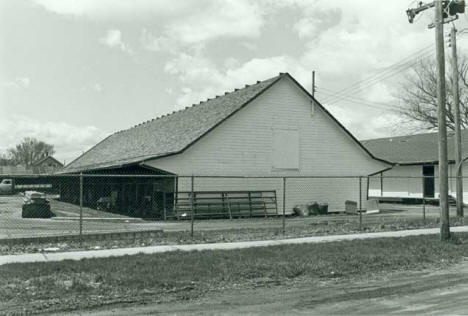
x=442, y=122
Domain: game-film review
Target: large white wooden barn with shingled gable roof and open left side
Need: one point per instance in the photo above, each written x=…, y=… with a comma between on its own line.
x=269, y=129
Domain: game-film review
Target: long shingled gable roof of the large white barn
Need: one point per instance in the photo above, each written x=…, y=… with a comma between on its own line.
x=173, y=133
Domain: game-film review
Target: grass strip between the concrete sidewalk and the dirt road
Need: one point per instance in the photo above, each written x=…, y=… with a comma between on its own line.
x=68, y=285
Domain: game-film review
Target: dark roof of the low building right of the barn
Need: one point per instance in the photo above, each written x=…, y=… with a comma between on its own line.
x=414, y=149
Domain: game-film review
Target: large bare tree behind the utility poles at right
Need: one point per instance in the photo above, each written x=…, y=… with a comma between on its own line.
x=417, y=95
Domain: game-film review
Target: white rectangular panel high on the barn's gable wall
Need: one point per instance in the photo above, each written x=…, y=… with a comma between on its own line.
x=285, y=149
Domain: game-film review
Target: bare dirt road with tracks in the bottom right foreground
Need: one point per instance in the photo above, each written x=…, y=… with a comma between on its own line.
x=428, y=292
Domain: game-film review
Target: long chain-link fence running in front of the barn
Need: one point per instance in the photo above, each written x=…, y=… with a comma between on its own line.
x=229, y=207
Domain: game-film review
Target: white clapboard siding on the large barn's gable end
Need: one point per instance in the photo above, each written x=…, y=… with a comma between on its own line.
x=243, y=145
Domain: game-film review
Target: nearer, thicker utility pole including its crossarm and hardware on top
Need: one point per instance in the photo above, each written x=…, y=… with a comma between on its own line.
x=445, y=11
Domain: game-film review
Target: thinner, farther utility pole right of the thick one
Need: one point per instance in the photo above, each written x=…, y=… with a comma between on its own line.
x=456, y=108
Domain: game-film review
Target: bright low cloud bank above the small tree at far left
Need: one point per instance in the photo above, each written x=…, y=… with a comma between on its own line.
x=69, y=140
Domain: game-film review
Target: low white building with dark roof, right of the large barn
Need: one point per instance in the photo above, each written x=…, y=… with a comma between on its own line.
x=414, y=156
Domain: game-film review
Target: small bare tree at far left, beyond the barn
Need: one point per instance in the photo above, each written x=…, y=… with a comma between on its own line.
x=30, y=150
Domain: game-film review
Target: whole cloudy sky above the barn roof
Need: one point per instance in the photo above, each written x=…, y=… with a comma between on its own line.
x=74, y=71
